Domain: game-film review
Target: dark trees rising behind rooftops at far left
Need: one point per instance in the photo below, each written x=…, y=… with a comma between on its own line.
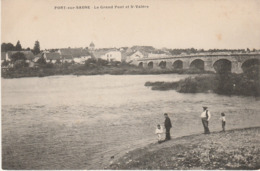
x=5, y=47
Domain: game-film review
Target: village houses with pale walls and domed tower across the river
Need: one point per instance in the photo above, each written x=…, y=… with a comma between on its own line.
x=80, y=55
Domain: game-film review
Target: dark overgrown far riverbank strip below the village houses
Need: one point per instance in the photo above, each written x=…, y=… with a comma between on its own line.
x=122, y=69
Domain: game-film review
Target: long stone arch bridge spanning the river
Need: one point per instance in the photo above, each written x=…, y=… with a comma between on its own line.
x=233, y=62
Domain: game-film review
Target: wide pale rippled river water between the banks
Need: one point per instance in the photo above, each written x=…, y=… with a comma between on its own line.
x=70, y=122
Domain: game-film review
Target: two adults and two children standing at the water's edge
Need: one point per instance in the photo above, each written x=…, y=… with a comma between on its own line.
x=205, y=117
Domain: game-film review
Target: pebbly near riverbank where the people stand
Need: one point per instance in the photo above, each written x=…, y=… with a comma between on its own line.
x=233, y=149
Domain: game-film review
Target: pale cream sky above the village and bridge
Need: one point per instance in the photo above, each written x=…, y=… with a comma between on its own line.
x=199, y=24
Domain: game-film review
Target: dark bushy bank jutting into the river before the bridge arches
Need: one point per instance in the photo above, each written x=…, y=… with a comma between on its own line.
x=247, y=83
